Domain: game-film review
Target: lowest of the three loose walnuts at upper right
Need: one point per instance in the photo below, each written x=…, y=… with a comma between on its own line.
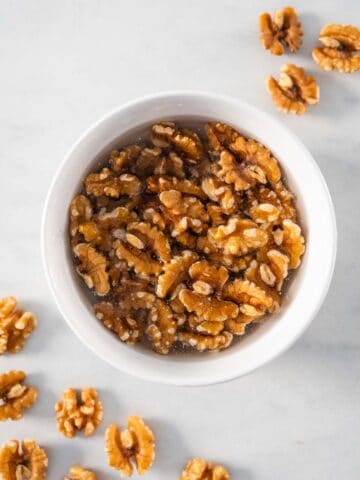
x=294, y=91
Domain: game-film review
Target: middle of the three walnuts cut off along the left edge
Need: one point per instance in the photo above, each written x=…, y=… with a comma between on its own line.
x=14, y=396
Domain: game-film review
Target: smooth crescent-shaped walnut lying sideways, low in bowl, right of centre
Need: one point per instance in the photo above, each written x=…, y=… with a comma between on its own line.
x=209, y=308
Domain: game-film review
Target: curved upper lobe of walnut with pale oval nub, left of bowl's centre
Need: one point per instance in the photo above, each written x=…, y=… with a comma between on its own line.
x=152, y=238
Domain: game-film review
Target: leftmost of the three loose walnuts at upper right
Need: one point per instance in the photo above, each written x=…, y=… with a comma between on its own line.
x=283, y=30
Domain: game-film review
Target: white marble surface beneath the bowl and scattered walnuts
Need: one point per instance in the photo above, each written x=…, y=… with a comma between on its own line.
x=66, y=63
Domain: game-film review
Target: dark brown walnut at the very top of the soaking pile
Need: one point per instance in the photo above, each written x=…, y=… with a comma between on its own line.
x=166, y=133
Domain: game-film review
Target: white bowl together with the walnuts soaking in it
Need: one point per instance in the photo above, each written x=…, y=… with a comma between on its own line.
x=212, y=207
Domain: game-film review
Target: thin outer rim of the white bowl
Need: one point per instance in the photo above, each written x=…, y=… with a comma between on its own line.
x=237, y=372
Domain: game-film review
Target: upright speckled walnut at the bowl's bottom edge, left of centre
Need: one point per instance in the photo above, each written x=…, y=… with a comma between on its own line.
x=162, y=327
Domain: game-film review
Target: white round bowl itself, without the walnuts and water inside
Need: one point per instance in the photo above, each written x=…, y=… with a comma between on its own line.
x=307, y=290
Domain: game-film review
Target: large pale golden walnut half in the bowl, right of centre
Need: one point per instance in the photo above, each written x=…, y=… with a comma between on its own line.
x=238, y=237
